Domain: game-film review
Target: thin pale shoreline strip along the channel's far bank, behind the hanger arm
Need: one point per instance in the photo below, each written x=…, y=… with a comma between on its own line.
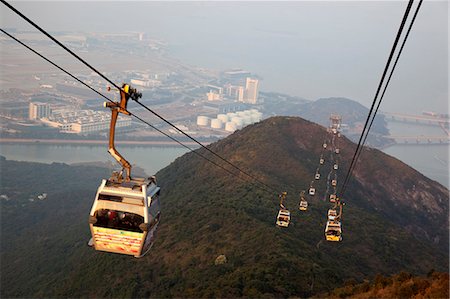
x=96, y=142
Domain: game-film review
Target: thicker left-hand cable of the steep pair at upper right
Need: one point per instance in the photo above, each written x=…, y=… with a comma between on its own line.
x=394, y=46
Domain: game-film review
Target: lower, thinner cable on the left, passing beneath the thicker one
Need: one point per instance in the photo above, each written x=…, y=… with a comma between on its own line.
x=131, y=114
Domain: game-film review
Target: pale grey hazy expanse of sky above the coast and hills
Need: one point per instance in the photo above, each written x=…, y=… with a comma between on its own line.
x=310, y=49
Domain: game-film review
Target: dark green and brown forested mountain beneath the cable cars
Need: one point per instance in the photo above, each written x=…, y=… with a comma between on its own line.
x=394, y=219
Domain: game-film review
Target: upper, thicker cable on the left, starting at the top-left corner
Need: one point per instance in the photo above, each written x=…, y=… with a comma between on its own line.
x=119, y=88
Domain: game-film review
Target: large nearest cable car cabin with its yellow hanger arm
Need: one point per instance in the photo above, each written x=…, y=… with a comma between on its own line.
x=126, y=211
